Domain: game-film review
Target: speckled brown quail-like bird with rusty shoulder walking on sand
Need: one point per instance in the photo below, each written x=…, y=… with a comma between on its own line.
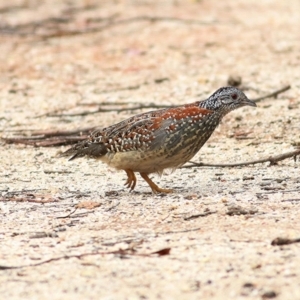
x=162, y=139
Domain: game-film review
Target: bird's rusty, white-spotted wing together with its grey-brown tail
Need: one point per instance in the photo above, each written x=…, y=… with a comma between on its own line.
x=141, y=132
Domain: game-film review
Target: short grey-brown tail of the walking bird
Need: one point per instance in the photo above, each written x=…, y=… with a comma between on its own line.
x=85, y=148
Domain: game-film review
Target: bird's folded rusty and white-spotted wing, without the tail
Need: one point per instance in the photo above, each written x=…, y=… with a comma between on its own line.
x=150, y=130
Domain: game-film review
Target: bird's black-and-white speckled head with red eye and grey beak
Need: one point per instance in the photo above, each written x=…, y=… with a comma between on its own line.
x=227, y=99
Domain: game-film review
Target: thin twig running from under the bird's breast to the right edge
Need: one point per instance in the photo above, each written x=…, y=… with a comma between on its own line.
x=272, y=159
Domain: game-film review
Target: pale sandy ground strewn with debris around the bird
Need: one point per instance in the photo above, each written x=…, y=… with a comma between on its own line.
x=71, y=229
